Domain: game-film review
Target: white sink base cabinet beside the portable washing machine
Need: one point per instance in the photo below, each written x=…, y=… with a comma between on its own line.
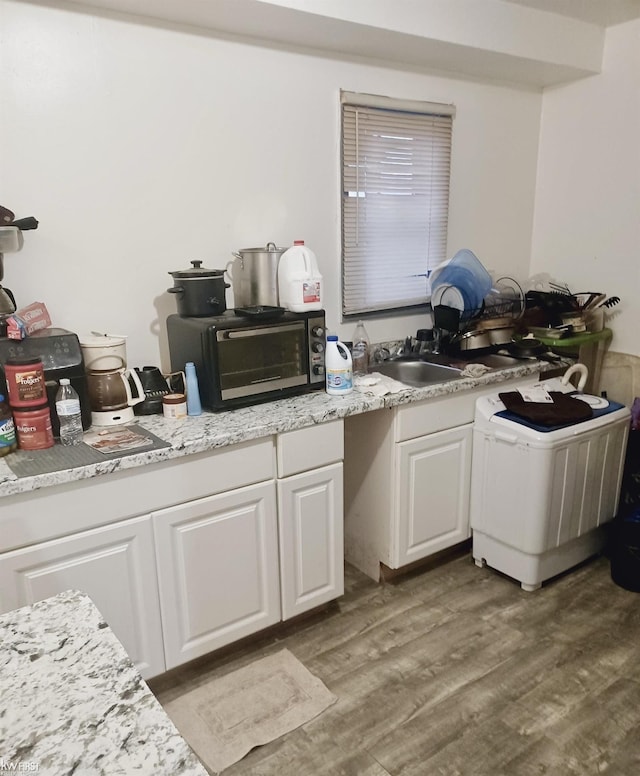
x=408, y=478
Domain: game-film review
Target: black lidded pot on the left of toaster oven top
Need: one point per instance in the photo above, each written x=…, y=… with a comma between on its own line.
x=199, y=291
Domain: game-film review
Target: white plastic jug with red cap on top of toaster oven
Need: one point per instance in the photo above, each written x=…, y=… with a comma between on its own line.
x=299, y=280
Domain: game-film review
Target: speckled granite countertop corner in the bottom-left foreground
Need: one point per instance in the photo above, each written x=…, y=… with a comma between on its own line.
x=72, y=701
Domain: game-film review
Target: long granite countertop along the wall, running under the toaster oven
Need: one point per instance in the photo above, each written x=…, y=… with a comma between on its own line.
x=213, y=430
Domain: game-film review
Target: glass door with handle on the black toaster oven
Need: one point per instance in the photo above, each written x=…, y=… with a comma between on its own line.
x=261, y=359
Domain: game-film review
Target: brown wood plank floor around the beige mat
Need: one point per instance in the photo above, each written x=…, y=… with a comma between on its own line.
x=458, y=672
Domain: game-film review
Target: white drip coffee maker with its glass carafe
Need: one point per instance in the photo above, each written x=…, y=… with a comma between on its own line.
x=108, y=380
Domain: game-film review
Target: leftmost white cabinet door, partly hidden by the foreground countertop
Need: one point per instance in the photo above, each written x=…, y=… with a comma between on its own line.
x=114, y=566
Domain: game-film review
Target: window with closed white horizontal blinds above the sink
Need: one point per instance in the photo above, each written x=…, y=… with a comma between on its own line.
x=396, y=159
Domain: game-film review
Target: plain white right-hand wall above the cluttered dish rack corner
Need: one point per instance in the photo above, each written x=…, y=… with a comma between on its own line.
x=587, y=211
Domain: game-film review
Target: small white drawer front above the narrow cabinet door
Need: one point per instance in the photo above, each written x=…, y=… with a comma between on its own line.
x=310, y=448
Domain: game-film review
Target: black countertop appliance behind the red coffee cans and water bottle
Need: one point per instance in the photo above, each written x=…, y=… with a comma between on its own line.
x=61, y=356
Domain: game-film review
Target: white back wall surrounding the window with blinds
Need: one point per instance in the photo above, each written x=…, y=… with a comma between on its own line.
x=140, y=148
